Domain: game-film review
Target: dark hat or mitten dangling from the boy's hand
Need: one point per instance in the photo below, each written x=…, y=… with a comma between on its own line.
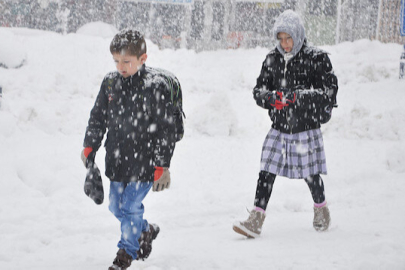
x=93, y=185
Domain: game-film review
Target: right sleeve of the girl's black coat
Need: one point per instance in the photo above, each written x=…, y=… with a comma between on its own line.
x=324, y=84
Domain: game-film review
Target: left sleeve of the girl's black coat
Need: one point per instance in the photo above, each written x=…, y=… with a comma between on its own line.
x=260, y=91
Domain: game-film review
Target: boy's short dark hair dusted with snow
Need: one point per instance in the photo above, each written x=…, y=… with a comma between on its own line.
x=131, y=42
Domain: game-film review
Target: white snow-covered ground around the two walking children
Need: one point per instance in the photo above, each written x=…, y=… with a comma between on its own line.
x=47, y=222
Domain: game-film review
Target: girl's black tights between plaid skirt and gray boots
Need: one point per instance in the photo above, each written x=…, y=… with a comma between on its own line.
x=266, y=182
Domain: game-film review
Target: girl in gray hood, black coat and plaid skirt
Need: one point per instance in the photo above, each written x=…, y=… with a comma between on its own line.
x=298, y=88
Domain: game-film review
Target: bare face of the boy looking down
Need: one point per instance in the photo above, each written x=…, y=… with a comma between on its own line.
x=128, y=65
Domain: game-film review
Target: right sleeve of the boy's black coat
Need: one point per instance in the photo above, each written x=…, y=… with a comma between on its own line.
x=162, y=127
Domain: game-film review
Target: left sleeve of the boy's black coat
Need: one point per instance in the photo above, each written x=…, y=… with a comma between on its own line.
x=98, y=120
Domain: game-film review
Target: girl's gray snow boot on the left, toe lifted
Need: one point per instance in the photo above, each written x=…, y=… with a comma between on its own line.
x=252, y=227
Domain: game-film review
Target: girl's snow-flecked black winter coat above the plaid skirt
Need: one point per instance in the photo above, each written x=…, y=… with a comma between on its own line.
x=310, y=73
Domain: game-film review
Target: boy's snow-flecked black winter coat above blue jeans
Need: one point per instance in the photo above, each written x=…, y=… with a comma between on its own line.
x=138, y=115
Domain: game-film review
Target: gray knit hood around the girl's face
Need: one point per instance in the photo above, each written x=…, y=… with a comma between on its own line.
x=289, y=22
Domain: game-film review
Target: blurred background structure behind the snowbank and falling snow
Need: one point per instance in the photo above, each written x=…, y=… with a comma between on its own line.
x=213, y=24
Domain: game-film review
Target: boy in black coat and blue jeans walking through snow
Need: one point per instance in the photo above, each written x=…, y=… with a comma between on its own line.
x=135, y=108
